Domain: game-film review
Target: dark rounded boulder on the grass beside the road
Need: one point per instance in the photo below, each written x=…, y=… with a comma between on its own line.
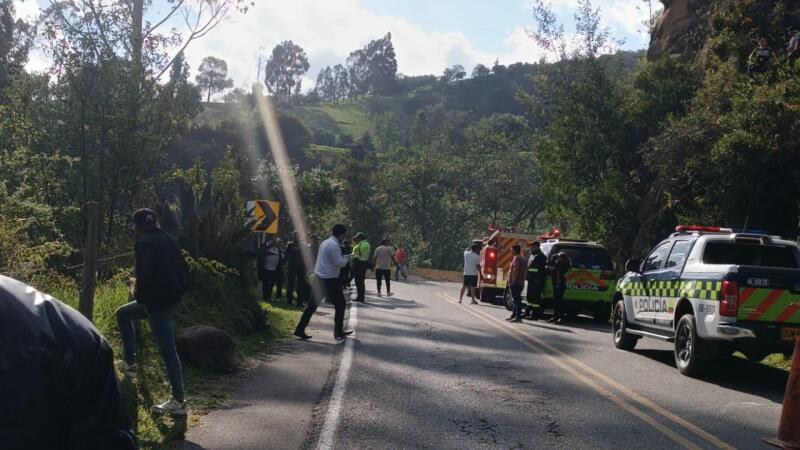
x=207, y=347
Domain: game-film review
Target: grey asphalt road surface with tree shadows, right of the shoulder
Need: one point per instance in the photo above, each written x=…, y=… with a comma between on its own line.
x=425, y=372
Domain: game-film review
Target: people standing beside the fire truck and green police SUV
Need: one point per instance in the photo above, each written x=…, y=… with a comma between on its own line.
x=535, y=269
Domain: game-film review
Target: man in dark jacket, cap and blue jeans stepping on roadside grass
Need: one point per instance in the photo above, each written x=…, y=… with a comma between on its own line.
x=161, y=279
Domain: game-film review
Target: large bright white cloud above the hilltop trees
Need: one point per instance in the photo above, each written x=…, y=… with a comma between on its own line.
x=330, y=30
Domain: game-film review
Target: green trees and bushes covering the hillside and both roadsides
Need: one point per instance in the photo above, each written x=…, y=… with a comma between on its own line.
x=606, y=144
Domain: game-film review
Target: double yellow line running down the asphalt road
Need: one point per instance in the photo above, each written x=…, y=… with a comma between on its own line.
x=528, y=341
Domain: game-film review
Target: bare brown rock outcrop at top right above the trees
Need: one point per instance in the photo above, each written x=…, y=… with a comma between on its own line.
x=678, y=32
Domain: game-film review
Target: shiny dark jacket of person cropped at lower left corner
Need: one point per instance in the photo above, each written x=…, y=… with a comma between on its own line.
x=58, y=388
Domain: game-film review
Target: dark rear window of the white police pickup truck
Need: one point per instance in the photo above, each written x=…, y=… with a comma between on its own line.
x=741, y=254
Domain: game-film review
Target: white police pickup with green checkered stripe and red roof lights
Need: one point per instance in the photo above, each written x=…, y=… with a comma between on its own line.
x=712, y=291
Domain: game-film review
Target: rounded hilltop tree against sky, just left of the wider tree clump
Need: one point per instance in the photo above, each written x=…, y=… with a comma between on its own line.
x=285, y=69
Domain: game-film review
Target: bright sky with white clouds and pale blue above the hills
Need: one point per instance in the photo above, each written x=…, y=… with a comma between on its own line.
x=428, y=35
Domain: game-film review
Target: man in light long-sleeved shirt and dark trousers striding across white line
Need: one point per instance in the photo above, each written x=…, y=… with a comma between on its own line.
x=330, y=261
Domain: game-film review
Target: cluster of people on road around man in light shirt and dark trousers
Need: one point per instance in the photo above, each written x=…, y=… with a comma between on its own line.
x=336, y=264
